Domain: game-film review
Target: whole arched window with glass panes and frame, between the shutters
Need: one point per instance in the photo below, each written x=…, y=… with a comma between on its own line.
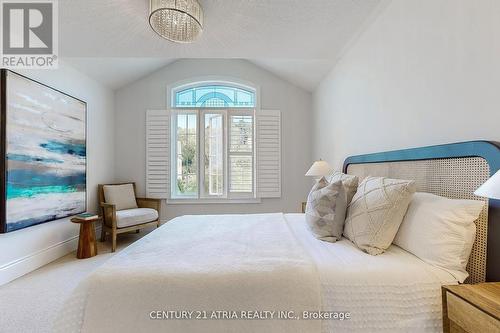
x=213, y=128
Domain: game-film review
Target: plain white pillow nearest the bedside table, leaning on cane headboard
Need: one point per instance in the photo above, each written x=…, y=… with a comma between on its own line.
x=440, y=231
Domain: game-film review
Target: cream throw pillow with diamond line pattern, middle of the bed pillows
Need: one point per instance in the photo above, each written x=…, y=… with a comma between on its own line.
x=376, y=212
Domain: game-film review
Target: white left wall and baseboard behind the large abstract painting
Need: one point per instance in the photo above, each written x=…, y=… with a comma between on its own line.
x=25, y=250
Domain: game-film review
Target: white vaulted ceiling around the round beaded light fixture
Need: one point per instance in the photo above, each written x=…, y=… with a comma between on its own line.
x=299, y=40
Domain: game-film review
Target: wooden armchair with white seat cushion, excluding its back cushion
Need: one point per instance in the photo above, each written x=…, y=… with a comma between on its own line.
x=147, y=213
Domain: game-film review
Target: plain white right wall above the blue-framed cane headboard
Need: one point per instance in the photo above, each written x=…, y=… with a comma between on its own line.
x=424, y=72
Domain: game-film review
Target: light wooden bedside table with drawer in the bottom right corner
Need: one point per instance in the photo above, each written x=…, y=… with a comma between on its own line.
x=471, y=308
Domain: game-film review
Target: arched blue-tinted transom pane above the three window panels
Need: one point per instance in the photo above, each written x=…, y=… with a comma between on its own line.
x=214, y=96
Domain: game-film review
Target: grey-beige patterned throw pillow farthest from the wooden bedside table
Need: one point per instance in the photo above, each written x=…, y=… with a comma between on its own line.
x=326, y=209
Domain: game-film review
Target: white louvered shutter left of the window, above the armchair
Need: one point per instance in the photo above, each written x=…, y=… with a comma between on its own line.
x=157, y=154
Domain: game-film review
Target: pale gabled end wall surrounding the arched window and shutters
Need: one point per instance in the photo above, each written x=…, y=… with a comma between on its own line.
x=133, y=100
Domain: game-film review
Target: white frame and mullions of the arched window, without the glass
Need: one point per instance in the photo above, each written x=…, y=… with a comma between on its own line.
x=251, y=197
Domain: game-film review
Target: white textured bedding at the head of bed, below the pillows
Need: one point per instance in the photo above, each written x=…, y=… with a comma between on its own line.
x=392, y=292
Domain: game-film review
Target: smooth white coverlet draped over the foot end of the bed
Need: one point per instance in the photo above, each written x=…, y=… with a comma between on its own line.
x=200, y=263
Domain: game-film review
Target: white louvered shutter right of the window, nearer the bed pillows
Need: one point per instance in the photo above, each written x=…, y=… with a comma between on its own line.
x=268, y=131
